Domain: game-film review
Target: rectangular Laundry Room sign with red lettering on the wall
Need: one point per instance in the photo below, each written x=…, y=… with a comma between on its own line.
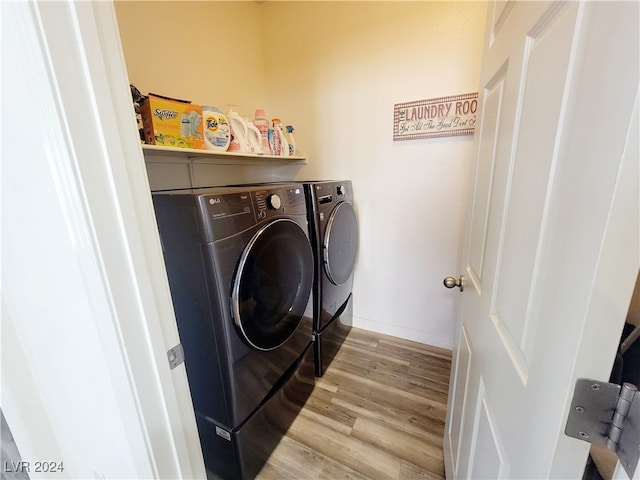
x=435, y=117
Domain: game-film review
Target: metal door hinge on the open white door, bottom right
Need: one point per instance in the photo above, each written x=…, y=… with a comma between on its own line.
x=607, y=414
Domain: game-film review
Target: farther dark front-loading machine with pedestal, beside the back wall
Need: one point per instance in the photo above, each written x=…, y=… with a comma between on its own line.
x=334, y=236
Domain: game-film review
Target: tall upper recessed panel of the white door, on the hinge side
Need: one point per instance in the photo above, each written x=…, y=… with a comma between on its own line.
x=531, y=168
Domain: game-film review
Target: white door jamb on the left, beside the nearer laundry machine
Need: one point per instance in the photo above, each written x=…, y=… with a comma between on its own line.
x=164, y=395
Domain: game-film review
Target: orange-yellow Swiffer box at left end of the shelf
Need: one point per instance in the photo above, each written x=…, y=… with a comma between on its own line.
x=171, y=122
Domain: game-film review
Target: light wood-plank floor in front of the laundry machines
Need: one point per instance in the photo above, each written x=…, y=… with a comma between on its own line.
x=378, y=412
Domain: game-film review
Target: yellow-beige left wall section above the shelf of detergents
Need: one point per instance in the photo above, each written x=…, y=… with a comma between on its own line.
x=206, y=52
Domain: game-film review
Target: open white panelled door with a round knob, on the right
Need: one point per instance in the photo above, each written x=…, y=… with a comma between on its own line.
x=552, y=249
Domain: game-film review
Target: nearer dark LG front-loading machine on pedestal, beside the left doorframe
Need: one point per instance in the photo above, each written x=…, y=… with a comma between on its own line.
x=241, y=270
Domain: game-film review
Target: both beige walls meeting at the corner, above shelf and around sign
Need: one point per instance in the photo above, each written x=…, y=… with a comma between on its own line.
x=334, y=70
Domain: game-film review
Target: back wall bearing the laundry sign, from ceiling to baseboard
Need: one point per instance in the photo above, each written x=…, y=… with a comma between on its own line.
x=345, y=65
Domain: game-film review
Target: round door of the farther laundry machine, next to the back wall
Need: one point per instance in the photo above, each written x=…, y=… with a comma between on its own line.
x=340, y=243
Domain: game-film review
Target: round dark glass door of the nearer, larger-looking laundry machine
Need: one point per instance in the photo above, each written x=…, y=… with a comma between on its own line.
x=272, y=284
